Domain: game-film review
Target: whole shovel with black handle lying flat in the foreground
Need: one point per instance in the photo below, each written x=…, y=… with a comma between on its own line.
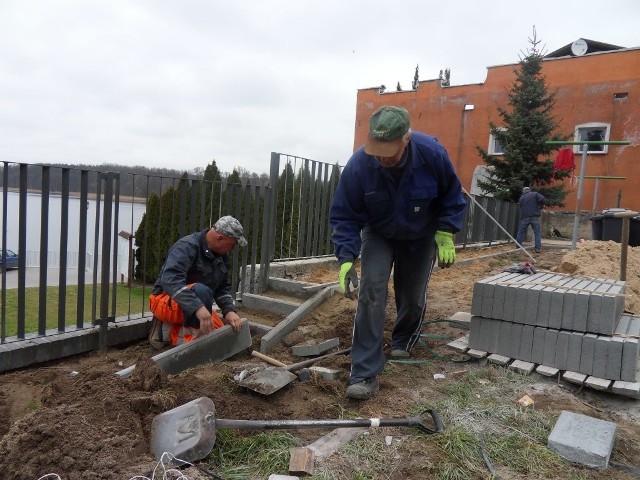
x=189, y=431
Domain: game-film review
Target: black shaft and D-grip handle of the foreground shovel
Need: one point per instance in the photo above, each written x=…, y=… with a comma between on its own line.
x=416, y=421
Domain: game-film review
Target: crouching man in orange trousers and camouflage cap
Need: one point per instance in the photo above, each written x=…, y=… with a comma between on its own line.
x=195, y=273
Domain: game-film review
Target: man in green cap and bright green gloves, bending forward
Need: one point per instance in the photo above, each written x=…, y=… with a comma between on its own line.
x=397, y=201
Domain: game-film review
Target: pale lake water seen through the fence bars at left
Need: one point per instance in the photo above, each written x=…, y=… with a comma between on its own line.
x=129, y=217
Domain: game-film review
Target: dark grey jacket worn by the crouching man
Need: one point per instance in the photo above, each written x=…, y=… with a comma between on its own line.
x=190, y=261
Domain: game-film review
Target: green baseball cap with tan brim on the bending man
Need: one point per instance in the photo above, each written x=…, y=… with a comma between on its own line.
x=387, y=126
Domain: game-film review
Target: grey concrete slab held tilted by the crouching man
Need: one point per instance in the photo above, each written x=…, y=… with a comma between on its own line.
x=214, y=347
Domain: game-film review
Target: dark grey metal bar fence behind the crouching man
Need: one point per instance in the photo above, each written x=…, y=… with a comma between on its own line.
x=74, y=231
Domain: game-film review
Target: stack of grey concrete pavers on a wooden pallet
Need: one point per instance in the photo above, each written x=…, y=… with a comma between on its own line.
x=560, y=321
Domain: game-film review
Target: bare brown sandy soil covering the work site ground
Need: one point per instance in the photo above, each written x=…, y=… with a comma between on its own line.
x=92, y=425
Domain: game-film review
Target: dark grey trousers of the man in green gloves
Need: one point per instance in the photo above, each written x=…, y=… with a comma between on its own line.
x=411, y=273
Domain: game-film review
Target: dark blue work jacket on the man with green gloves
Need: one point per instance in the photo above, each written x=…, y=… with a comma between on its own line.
x=427, y=197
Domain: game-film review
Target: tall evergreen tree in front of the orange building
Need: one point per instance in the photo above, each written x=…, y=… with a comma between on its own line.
x=526, y=127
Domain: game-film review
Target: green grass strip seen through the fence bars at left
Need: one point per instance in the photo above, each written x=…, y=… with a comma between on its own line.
x=128, y=301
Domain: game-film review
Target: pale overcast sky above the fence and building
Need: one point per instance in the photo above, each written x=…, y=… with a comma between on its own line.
x=178, y=84
